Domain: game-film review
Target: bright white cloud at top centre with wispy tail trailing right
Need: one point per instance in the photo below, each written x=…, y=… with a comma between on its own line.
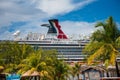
x=53, y=7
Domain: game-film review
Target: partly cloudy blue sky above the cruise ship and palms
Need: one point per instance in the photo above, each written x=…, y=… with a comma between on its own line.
x=76, y=17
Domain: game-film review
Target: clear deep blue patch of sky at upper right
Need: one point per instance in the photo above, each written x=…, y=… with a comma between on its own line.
x=98, y=10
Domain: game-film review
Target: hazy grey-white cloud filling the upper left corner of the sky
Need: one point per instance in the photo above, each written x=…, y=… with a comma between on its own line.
x=18, y=10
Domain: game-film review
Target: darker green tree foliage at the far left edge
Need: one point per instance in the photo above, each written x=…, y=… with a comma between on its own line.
x=12, y=53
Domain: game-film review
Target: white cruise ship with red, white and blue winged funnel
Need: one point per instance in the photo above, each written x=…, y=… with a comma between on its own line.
x=68, y=49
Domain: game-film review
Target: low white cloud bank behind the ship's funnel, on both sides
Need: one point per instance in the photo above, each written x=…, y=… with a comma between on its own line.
x=68, y=27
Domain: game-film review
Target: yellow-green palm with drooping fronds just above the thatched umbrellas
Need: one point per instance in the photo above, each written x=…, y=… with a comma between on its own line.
x=33, y=63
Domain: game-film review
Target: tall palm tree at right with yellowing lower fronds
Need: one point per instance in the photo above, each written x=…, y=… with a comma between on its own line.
x=104, y=43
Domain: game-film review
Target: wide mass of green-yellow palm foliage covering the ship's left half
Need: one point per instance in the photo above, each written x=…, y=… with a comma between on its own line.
x=22, y=58
